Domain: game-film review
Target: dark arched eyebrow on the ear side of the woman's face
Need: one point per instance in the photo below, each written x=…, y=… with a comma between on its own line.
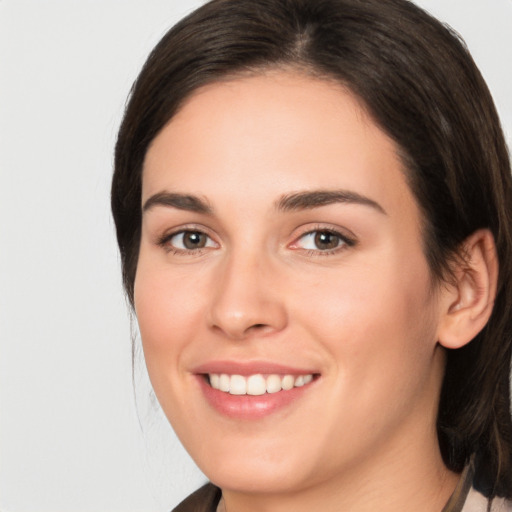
x=314, y=199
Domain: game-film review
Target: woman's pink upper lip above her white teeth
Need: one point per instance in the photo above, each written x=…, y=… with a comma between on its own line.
x=250, y=368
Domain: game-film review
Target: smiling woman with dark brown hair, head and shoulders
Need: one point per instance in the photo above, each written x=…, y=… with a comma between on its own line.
x=313, y=207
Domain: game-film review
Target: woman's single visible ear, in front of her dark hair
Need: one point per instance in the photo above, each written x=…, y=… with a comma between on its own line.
x=467, y=303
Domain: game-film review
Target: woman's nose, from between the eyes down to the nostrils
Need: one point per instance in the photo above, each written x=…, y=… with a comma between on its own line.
x=247, y=300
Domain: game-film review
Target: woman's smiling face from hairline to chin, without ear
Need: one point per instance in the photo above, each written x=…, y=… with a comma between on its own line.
x=285, y=305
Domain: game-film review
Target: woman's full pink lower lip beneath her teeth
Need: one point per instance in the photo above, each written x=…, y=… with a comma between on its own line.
x=250, y=407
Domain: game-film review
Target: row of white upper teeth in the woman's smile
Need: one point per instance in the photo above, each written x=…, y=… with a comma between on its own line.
x=257, y=384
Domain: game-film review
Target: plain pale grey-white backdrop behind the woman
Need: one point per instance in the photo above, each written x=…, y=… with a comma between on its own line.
x=71, y=436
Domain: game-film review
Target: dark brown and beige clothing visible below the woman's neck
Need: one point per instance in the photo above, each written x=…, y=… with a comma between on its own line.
x=464, y=499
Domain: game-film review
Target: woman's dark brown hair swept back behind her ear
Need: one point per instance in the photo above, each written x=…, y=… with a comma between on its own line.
x=419, y=83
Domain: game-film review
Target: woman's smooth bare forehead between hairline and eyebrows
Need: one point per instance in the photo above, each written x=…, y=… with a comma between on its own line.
x=271, y=134
